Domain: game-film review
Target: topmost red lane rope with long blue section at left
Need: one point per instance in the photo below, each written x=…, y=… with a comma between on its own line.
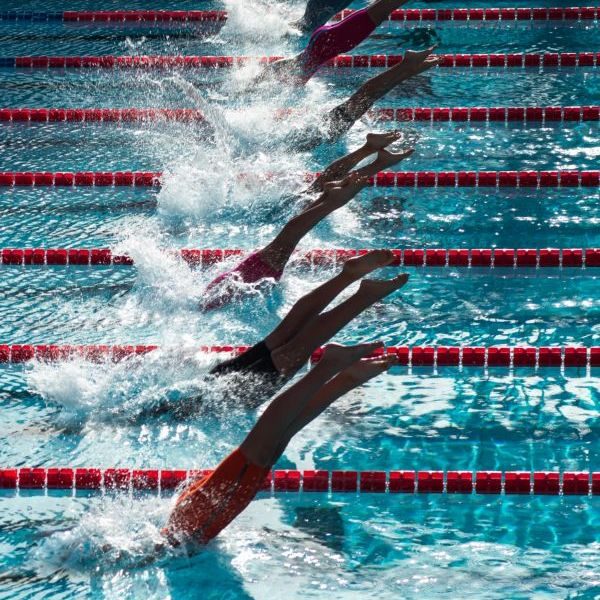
x=461, y=15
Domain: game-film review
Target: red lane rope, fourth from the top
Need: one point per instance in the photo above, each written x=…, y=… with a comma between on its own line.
x=411, y=179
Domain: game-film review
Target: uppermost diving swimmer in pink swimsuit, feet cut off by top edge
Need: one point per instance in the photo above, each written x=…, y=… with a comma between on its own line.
x=330, y=40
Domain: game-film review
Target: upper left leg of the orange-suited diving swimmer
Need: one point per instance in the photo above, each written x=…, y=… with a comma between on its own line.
x=264, y=442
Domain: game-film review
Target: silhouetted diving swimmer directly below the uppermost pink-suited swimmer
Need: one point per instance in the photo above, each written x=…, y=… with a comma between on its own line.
x=340, y=119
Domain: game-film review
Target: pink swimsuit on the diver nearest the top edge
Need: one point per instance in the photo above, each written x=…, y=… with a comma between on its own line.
x=330, y=40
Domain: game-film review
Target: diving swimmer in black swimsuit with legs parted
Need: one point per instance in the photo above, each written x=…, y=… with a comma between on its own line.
x=308, y=326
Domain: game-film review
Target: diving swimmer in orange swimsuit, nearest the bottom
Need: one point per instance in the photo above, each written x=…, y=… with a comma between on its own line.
x=208, y=505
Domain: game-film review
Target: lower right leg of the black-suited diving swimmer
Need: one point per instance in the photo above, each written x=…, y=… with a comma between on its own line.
x=292, y=355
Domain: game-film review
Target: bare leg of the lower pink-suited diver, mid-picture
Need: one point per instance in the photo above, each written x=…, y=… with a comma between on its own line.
x=277, y=253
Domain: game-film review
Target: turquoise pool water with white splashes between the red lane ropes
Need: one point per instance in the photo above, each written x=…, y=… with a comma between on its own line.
x=341, y=546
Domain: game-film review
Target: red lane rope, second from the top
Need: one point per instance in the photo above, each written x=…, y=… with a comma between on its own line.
x=550, y=59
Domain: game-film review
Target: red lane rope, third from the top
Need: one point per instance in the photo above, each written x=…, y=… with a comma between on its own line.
x=475, y=114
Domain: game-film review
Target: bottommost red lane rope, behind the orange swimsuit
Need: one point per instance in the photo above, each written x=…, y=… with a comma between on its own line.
x=408, y=482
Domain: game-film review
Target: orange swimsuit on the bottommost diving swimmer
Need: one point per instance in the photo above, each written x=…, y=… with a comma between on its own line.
x=208, y=505
